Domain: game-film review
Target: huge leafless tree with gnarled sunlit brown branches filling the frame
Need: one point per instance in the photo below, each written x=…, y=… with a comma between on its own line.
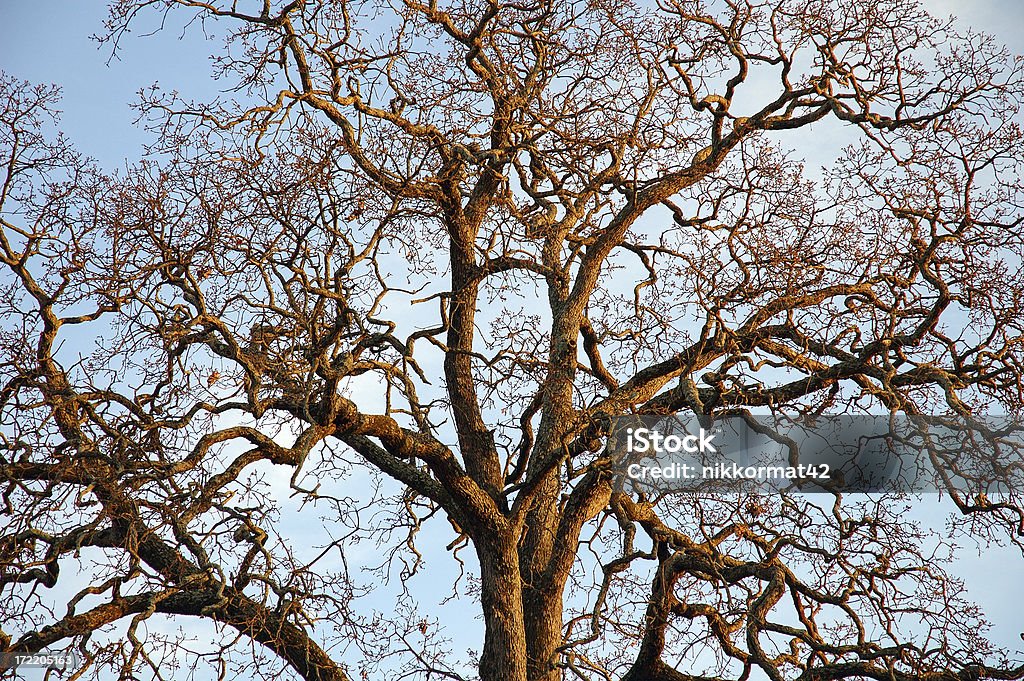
x=418, y=265
